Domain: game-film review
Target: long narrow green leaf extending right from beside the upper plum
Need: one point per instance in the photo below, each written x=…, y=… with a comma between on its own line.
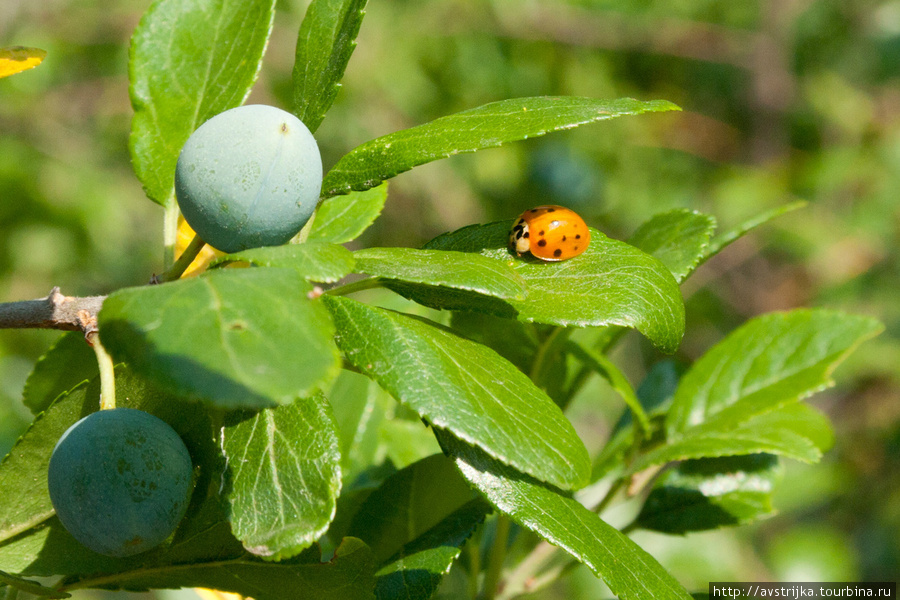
x=487, y=126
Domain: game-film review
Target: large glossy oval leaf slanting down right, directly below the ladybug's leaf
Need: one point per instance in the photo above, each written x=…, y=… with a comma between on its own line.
x=462, y=386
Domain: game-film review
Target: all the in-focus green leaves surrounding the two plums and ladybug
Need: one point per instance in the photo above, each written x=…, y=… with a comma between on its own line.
x=246, y=364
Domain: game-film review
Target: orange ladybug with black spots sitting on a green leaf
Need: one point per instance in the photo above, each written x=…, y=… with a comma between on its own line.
x=550, y=233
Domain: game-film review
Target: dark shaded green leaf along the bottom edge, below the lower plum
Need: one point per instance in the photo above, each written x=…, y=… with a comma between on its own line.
x=348, y=576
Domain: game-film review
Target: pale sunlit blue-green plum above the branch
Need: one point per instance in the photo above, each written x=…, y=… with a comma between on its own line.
x=249, y=177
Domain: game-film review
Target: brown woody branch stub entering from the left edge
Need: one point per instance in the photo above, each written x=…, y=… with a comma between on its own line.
x=56, y=311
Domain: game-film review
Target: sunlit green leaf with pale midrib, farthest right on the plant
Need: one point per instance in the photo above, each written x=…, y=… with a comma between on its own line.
x=769, y=362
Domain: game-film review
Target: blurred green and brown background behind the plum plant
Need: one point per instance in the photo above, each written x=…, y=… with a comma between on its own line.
x=782, y=99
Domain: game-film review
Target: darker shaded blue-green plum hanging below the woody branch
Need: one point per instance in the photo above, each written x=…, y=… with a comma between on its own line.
x=120, y=481
